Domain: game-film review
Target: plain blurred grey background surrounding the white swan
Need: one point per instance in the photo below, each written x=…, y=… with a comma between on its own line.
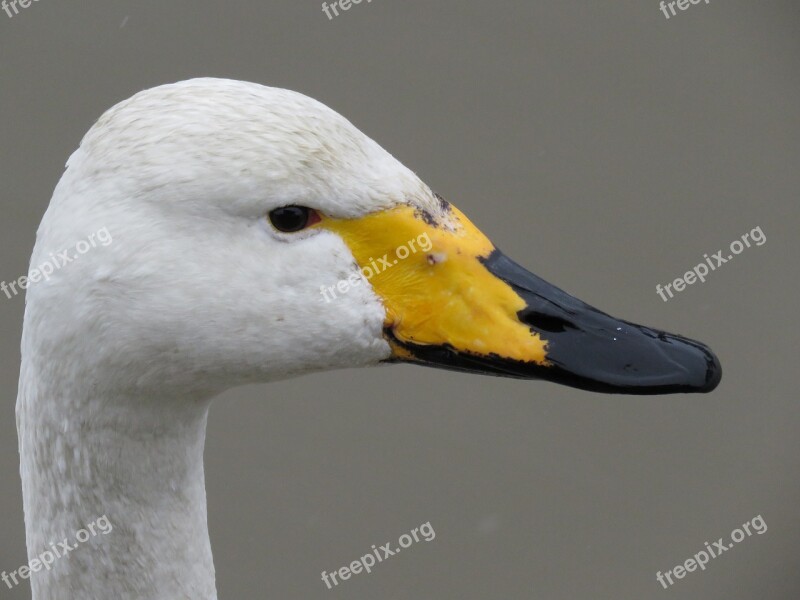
x=599, y=144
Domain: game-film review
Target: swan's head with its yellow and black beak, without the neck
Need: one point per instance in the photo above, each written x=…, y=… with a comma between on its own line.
x=257, y=234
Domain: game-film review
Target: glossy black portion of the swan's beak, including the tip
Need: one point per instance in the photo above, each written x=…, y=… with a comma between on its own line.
x=586, y=348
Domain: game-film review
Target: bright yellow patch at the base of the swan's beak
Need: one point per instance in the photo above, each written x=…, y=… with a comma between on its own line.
x=435, y=288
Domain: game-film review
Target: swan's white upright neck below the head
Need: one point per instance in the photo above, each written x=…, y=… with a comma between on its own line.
x=136, y=462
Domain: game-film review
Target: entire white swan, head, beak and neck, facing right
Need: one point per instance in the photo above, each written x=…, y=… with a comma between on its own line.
x=232, y=206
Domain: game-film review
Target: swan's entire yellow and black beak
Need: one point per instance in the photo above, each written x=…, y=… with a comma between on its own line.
x=458, y=303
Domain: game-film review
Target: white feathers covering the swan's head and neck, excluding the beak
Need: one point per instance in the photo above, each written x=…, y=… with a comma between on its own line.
x=124, y=348
